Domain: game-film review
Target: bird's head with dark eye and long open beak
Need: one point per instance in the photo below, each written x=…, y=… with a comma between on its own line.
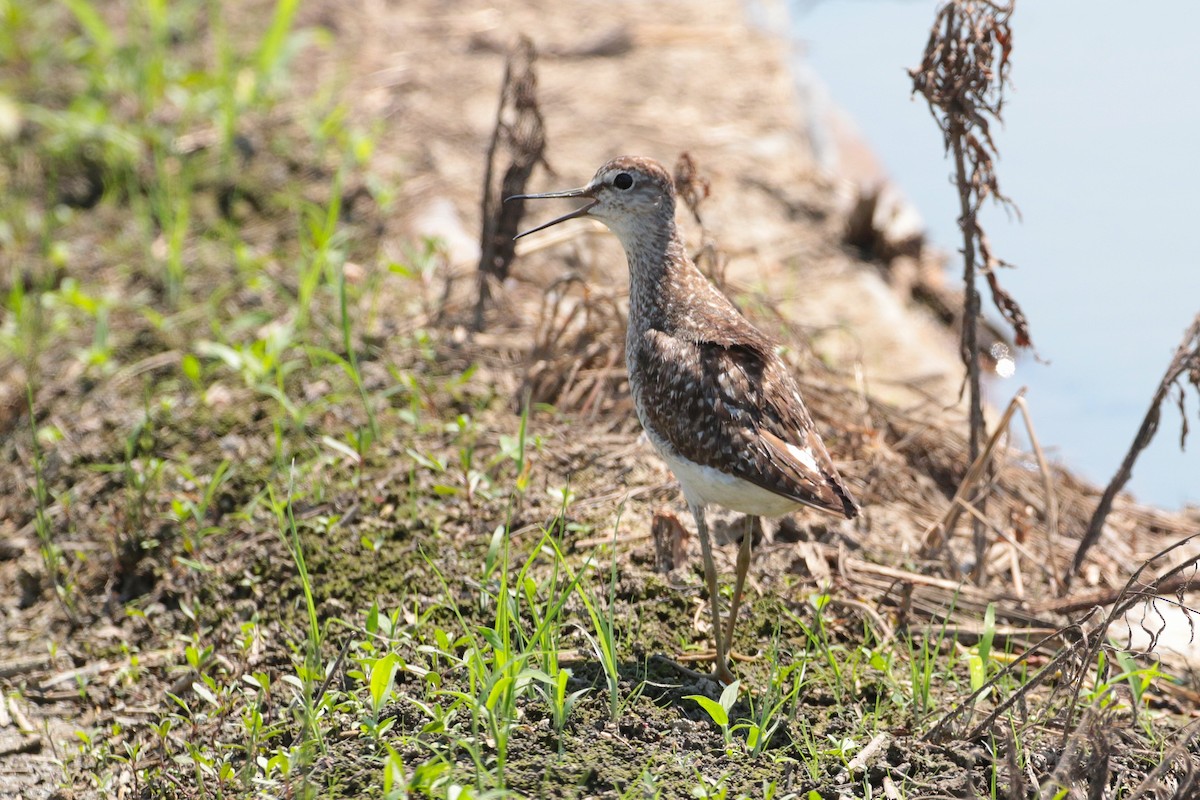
x=633, y=196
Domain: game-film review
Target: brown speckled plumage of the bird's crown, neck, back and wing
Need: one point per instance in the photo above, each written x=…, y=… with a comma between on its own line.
x=705, y=381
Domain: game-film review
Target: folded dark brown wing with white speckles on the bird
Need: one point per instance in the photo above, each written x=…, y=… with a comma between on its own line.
x=736, y=408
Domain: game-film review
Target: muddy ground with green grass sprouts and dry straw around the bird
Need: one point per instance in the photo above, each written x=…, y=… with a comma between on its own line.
x=242, y=484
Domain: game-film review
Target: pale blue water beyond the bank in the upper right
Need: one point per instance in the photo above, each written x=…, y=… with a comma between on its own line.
x=1101, y=152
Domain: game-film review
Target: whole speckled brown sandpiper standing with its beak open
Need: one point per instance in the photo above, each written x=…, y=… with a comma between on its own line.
x=712, y=394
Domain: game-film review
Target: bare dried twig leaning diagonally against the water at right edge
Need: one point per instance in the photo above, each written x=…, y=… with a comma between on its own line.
x=1185, y=366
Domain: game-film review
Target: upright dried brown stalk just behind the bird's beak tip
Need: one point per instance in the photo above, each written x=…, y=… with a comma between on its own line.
x=519, y=128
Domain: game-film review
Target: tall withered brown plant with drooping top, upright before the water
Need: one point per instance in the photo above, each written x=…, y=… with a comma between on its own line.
x=963, y=77
